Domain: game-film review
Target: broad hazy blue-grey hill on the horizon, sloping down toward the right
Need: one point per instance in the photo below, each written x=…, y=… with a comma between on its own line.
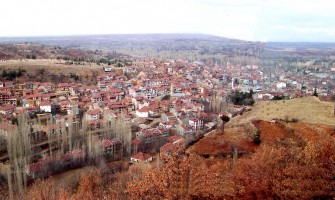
x=193, y=47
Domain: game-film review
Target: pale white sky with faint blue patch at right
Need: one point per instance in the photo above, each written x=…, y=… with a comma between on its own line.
x=253, y=20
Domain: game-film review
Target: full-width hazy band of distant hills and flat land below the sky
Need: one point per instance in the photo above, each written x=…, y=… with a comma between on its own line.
x=194, y=47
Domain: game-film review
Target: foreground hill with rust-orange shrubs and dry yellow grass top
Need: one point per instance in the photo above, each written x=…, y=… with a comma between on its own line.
x=276, y=150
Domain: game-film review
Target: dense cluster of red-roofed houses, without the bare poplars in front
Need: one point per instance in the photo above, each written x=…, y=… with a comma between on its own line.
x=162, y=99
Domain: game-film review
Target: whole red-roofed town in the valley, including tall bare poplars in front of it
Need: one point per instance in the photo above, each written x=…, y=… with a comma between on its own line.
x=136, y=111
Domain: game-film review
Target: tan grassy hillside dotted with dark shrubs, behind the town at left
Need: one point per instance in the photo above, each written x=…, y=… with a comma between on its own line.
x=55, y=64
